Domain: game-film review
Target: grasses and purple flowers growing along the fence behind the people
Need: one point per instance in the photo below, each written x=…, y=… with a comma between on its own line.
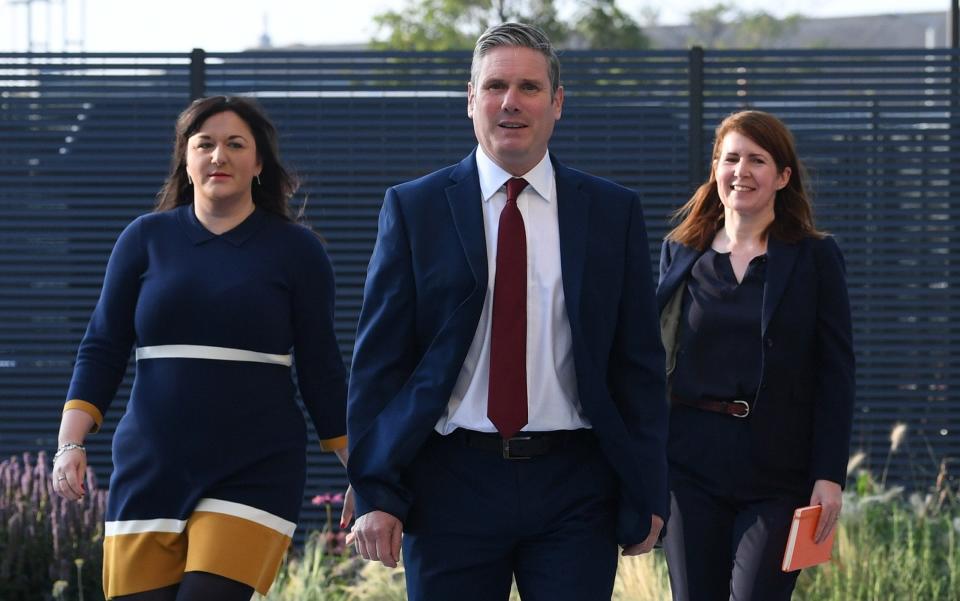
x=888, y=546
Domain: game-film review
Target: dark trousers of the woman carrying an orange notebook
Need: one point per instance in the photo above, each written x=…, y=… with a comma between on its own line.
x=727, y=531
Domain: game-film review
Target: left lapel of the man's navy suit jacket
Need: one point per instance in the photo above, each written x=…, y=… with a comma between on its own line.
x=464, y=200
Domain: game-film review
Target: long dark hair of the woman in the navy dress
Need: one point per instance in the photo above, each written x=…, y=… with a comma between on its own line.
x=277, y=185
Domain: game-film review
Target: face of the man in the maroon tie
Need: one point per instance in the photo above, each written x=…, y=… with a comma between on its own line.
x=511, y=107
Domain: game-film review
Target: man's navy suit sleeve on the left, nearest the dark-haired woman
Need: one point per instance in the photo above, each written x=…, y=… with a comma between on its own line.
x=384, y=358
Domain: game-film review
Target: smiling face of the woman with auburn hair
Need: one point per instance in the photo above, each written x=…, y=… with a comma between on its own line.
x=747, y=176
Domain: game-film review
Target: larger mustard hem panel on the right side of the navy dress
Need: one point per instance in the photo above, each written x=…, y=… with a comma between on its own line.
x=235, y=548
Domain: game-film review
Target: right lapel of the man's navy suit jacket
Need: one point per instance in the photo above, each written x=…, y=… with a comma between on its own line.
x=573, y=212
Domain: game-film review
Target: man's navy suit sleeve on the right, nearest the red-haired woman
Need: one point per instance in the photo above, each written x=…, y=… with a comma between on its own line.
x=637, y=381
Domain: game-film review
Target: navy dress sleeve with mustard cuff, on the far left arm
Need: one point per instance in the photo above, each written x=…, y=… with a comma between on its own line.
x=105, y=349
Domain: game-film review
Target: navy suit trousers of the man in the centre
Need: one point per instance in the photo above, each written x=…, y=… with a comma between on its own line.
x=479, y=520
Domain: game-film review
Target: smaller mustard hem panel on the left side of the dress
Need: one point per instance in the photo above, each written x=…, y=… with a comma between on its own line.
x=133, y=563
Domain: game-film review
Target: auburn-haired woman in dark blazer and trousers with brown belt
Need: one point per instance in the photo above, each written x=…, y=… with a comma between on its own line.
x=756, y=323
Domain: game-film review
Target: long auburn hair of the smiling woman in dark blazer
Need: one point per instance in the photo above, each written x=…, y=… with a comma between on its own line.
x=702, y=215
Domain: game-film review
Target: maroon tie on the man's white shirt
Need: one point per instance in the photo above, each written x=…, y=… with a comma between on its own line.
x=507, y=396
